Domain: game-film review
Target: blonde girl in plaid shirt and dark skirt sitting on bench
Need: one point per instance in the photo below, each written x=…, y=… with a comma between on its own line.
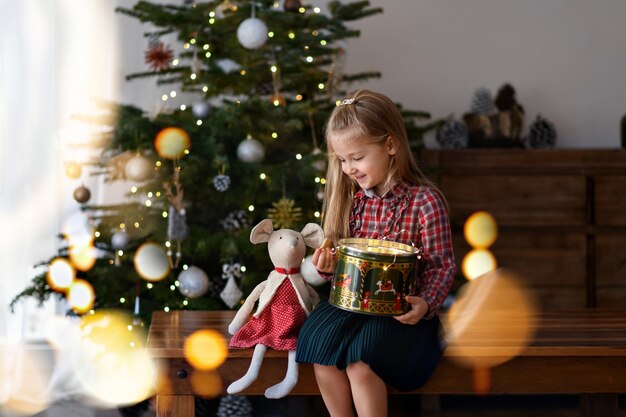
x=375, y=190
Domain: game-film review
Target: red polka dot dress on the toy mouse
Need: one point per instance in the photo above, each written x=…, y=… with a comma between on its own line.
x=278, y=324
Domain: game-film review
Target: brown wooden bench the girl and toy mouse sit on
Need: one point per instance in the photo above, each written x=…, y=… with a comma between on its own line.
x=581, y=351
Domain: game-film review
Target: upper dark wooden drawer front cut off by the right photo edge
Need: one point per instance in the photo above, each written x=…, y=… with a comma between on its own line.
x=610, y=200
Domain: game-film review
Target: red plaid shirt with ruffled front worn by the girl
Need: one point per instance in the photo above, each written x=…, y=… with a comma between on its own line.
x=411, y=214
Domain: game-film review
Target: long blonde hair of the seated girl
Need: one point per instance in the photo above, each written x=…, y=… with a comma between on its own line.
x=371, y=117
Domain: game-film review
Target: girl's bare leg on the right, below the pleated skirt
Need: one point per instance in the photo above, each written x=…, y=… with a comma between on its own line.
x=368, y=390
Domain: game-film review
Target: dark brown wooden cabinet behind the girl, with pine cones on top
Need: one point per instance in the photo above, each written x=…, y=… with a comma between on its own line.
x=561, y=216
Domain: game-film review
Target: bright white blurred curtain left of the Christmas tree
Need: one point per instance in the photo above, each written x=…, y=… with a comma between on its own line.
x=57, y=59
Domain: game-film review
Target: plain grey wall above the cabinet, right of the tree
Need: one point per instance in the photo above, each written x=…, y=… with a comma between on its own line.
x=565, y=58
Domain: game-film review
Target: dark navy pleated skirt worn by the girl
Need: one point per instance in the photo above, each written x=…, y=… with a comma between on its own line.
x=402, y=355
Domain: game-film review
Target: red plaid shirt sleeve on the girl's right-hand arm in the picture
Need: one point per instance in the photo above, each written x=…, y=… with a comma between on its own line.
x=436, y=237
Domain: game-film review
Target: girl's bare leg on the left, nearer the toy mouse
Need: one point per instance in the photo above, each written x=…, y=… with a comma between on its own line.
x=335, y=388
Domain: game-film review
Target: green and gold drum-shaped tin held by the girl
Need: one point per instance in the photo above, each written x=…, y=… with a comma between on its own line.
x=373, y=276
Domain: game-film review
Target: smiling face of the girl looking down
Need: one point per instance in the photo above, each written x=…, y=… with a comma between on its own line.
x=366, y=163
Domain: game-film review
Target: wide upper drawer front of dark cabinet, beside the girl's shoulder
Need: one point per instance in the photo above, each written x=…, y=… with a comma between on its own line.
x=537, y=200
